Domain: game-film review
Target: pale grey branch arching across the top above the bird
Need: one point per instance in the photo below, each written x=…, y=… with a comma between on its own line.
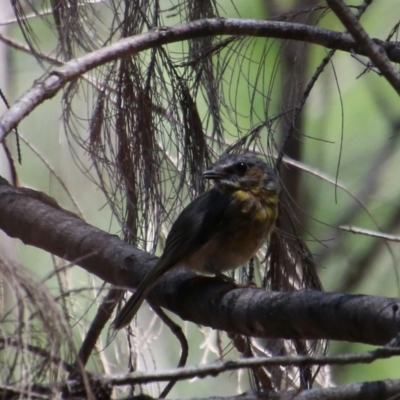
x=49, y=86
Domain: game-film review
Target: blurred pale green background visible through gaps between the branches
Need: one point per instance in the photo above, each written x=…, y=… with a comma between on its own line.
x=349, y=131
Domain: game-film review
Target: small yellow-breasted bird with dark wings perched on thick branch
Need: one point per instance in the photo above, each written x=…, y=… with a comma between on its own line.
x=220, y=230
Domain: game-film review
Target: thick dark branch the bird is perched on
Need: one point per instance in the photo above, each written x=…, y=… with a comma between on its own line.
x=37, y=220
